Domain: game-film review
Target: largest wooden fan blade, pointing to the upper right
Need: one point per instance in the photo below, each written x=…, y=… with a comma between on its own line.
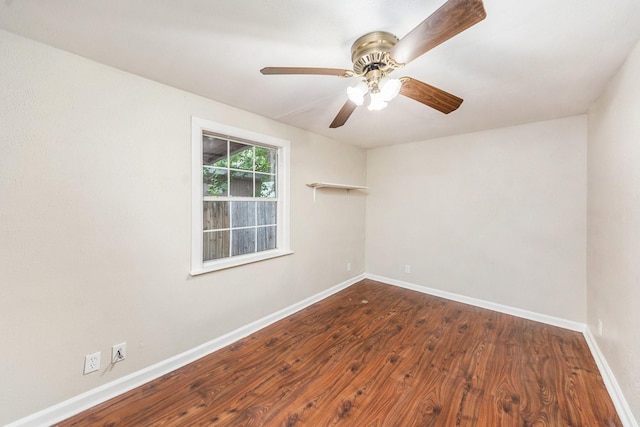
x=452, y=18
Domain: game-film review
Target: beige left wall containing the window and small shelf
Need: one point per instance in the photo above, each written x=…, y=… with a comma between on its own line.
x=95, y=225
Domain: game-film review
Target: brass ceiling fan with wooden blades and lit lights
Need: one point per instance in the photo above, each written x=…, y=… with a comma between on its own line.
x=375, y=55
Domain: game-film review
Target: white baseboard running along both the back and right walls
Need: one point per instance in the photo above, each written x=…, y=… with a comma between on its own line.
x=620, y=403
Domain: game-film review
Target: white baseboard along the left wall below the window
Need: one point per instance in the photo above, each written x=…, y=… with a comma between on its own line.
x=114, y=388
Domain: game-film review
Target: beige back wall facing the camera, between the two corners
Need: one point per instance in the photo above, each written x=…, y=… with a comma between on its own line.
x=498, y=215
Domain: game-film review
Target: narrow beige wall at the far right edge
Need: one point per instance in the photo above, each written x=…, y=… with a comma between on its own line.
x=613, y=277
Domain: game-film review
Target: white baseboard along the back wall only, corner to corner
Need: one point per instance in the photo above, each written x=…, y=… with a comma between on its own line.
x=525, y=314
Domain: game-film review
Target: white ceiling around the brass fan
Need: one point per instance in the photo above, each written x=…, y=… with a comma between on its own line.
x=527, y=61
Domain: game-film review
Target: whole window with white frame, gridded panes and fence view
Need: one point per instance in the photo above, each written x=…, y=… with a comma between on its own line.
x=240, y=197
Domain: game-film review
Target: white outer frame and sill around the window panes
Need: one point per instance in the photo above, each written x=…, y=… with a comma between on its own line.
x=200, y=126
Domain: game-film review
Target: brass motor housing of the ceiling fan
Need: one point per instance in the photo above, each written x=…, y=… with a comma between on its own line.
x=371, y=52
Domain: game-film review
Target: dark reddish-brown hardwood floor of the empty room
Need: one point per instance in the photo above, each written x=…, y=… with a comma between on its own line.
x=379, y=355
